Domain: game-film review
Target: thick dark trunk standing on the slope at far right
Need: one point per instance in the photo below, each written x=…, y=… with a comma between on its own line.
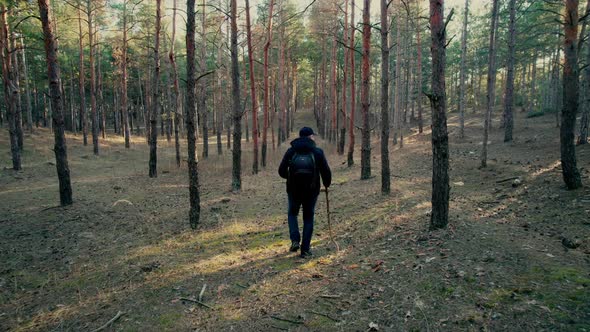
x=571, y=175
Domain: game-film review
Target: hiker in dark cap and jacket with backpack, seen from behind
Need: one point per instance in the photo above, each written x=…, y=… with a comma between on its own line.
x=302, y=166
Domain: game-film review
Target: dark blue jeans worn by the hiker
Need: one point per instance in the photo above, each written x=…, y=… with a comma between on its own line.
x=295, y=202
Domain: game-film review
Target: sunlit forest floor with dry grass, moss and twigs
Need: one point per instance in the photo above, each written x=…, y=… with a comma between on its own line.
x=125, y=244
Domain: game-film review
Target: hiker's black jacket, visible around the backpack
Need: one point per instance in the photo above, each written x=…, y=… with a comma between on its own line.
x=303, y=145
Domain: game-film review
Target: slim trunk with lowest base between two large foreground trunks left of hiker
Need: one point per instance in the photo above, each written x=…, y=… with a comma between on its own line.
x=153, y=170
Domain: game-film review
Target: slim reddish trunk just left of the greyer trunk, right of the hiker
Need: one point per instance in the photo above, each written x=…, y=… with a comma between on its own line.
x=366, y=132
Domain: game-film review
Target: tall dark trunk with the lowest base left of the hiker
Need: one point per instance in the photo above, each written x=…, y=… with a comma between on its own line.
x=193, y=171
